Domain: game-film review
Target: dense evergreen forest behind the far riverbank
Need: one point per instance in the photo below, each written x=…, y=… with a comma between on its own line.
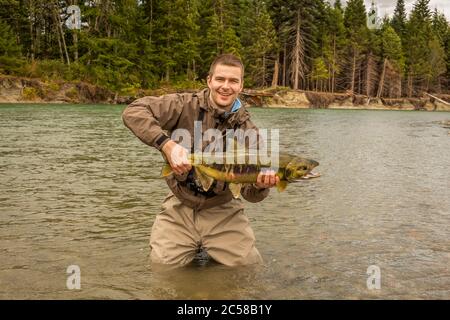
x=129, y=45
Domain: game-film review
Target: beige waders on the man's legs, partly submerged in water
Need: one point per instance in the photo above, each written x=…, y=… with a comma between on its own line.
x=222, y=231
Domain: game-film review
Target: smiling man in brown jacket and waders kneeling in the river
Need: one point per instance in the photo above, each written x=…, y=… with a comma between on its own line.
x=193, y=219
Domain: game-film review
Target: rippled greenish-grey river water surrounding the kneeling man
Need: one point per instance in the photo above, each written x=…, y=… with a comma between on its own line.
x=77, y=188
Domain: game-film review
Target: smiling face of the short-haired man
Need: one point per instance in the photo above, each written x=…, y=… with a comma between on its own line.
x=225, y=85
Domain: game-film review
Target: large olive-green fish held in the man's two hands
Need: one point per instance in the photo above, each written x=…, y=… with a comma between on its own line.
x=238, y=173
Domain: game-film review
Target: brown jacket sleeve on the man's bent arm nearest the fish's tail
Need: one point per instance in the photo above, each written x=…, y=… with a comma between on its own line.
x=149, y=117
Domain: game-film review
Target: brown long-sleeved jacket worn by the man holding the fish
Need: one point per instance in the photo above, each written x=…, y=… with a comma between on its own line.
x=152, y=119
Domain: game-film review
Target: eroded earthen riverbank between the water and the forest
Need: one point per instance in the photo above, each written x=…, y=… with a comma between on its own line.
x=31, y=90
